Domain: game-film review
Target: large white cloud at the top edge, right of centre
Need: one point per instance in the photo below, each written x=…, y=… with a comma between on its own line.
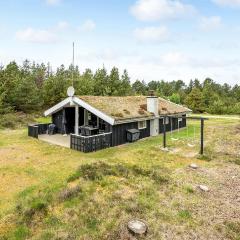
x=152, y=10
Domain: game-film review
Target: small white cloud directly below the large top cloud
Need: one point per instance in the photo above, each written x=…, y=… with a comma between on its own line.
x=151, y=34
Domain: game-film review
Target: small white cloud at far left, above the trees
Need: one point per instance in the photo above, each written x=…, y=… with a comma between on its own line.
x=36, y=35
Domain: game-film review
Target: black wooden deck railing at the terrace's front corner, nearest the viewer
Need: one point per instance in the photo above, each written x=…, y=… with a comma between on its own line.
x=90, y=143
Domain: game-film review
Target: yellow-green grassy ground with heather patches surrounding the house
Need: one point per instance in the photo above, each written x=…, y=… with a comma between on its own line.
x=49, y=192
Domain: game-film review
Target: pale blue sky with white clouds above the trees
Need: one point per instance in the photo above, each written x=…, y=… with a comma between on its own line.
x=152, y=39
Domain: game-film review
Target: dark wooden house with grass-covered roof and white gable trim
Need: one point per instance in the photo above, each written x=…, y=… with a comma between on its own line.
x=96, y=122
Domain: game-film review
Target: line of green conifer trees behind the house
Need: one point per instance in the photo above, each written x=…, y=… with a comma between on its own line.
x=31, y=87
